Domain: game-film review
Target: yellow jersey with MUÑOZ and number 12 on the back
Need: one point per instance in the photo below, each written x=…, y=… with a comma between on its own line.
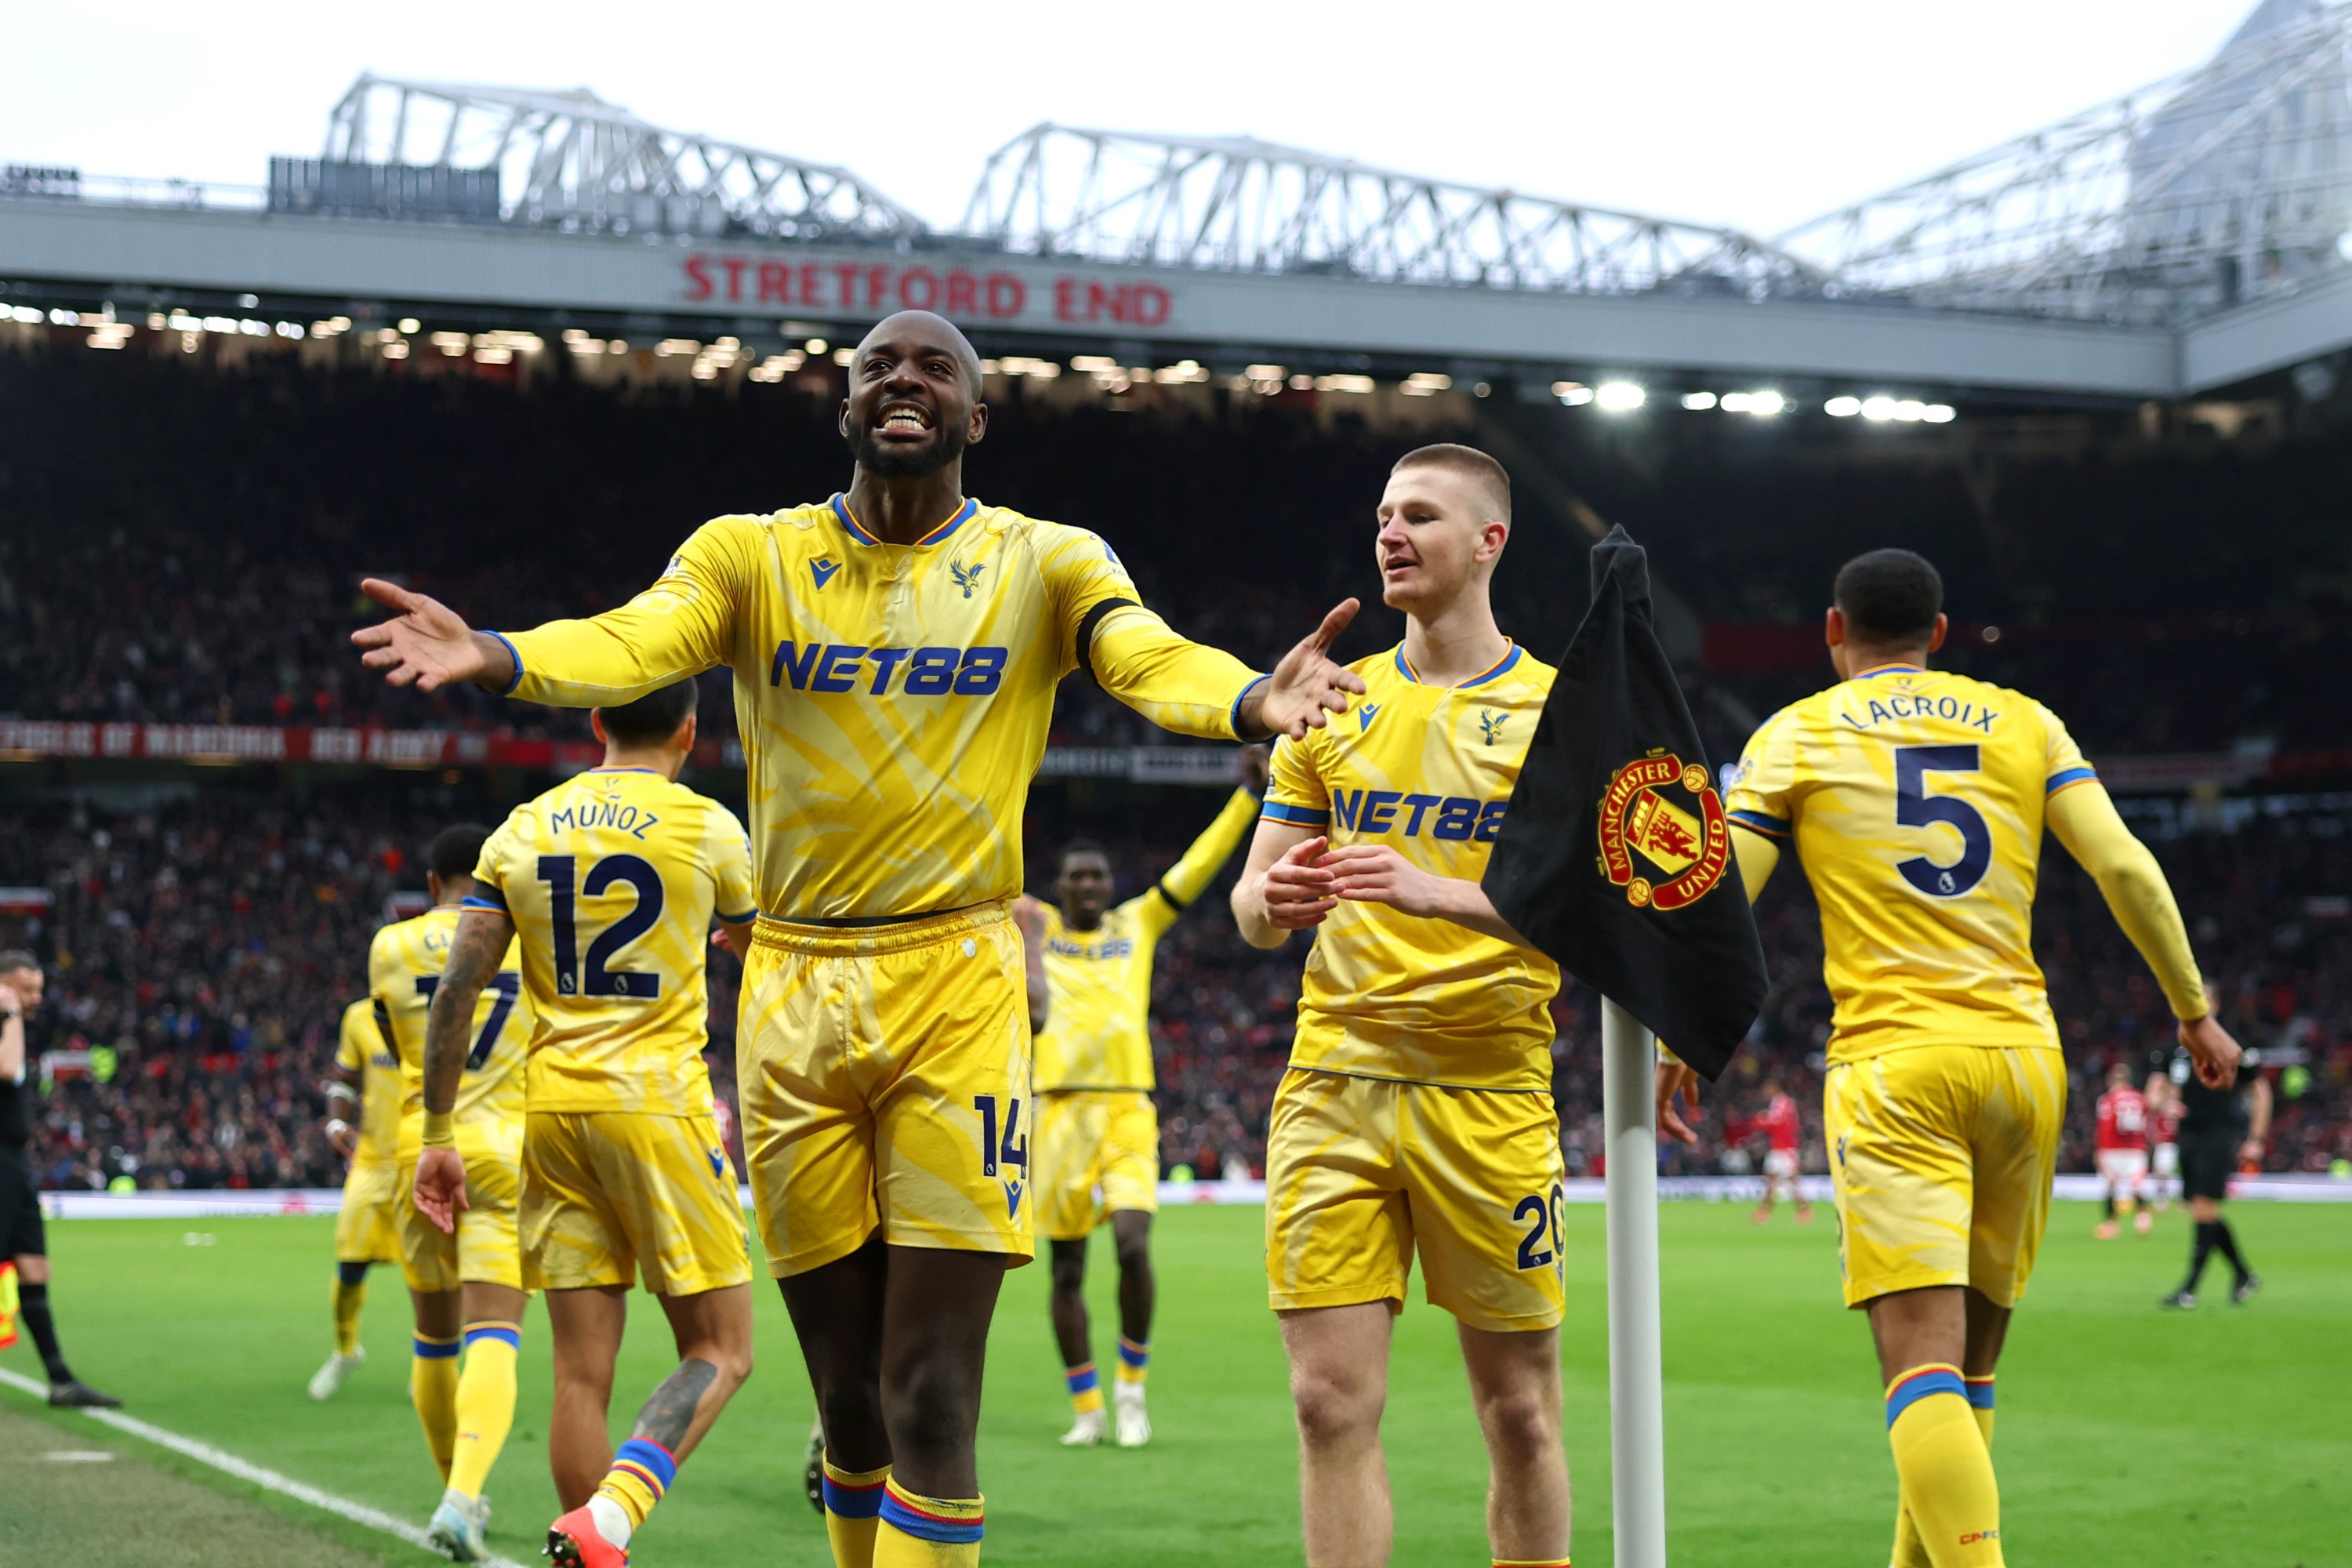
x=613, y=880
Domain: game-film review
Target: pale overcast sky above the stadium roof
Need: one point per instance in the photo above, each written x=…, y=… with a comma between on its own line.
x=1756, y=114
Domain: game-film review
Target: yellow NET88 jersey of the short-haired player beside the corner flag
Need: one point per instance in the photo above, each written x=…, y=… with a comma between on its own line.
x=1429, y=772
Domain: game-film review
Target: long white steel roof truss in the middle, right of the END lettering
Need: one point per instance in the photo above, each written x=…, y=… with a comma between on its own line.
x=1243, y=206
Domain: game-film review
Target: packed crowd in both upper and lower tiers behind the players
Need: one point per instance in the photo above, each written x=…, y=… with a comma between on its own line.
x=182, y=547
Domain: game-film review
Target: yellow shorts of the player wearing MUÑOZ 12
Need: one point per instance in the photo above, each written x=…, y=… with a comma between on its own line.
x=615, y=1195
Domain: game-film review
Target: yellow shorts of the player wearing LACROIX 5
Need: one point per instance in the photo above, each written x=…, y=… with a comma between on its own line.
x=1944, y=1162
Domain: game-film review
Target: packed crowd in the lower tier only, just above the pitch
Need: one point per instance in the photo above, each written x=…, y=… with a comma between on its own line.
x=203, y=951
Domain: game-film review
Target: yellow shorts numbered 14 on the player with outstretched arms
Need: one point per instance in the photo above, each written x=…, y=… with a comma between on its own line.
x=883, y=1076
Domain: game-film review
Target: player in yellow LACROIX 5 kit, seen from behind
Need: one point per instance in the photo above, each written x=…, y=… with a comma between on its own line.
x=1918, y=800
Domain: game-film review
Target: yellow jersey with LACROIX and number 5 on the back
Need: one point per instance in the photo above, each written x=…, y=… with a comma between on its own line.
x=1916, y=803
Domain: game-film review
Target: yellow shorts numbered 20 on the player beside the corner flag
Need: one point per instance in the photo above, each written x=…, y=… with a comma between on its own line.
x=1361, y=1174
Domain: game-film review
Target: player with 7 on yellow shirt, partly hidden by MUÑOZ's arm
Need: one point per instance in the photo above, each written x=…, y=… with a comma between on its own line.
x=465, y=1271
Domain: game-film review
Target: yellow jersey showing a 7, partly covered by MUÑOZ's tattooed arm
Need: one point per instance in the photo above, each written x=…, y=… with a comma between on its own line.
x=403, y=970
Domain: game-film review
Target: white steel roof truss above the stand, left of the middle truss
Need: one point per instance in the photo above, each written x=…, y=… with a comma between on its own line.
x=577, y=163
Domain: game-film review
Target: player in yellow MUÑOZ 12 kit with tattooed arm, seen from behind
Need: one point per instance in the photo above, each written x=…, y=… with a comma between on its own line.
x=613, y=880
